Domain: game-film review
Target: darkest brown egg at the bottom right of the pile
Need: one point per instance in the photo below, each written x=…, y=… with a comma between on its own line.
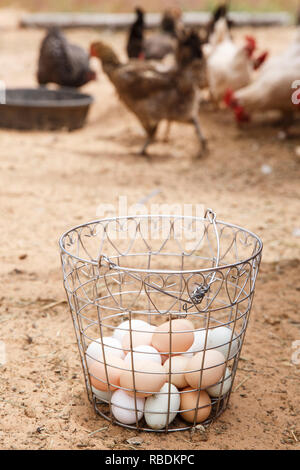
x=188, y=401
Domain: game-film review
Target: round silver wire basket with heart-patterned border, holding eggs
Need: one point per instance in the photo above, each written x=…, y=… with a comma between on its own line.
x=160, y=306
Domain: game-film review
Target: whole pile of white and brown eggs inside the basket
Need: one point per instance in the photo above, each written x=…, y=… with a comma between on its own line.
x=169, y=367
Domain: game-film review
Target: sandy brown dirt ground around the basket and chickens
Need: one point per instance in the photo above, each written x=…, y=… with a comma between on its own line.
x=52, y=181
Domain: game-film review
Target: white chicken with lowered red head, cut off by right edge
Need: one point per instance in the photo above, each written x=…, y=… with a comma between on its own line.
x=272, y=89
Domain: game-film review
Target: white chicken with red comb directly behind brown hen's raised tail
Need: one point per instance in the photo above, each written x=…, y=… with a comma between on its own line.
x=229, y=65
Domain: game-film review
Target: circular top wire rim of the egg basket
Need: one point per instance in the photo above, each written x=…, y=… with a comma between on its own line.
x=161, y=271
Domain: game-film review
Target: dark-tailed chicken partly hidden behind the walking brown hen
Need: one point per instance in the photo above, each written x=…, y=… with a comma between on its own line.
x=156, y=46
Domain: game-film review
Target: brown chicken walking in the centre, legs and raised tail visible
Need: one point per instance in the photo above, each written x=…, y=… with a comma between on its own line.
x=153, y=95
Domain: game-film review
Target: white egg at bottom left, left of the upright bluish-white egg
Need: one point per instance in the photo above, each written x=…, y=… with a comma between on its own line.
x=123, y=407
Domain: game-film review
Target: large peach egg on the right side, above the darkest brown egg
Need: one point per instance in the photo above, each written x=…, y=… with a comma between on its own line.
x=213, y=369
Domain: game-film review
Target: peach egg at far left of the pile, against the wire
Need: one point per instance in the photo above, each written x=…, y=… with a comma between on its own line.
x=114, y=366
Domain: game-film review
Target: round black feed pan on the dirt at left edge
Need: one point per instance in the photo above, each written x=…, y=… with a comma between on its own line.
x=44, y=109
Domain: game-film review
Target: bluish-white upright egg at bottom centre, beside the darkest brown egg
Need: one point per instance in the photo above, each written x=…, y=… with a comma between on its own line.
x=156, y=407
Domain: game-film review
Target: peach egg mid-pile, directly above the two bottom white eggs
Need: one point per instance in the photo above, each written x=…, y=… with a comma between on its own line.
x=149, y=377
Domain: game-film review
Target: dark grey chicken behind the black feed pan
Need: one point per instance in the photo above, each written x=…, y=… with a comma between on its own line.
x=63, y=63
